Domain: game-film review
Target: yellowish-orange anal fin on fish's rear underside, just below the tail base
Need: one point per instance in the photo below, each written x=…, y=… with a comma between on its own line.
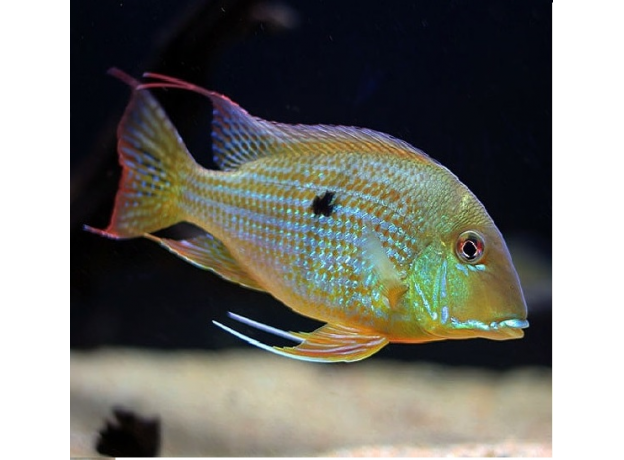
x=207, y=252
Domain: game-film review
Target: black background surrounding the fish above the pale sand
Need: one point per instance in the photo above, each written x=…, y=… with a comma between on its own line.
x=469, y=82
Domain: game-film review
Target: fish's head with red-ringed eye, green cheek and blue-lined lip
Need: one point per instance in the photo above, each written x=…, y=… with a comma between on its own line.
x=464, y=284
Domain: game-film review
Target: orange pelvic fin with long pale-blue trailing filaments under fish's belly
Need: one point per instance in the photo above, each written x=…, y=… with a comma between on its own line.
x=329, y=343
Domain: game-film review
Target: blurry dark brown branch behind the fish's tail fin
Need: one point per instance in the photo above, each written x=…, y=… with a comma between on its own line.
x=190, y=46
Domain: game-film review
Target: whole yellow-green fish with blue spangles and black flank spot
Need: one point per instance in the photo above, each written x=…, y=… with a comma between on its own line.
x=345, y=225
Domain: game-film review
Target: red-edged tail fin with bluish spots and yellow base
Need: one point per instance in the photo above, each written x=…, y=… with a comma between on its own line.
x=155, y=165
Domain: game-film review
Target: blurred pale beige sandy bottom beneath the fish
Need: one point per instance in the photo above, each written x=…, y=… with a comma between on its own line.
x=251, y=403
